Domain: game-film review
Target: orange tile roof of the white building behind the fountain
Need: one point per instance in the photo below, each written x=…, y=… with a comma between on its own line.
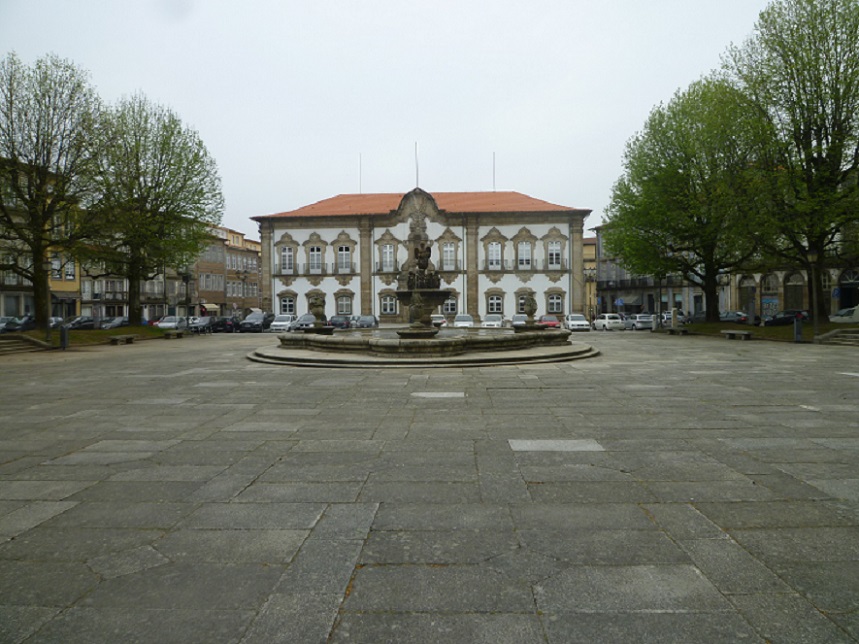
x=458, y=202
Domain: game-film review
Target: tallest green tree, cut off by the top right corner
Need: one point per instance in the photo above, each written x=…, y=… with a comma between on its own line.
x=801, y=70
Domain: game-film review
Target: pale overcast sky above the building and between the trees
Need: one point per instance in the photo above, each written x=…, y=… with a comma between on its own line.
x=301, y=100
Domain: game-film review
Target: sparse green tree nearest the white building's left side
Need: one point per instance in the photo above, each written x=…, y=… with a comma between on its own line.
x=160, y=194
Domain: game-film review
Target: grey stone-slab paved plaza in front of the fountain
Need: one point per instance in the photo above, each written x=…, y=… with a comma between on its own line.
x=672, y=489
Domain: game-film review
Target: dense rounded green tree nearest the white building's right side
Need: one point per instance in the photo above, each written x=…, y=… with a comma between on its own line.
x=684, y=201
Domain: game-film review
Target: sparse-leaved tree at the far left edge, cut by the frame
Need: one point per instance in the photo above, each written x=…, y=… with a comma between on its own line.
x=47, y=118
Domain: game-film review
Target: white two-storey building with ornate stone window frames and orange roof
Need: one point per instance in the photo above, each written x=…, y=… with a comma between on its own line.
x=490, y=248
